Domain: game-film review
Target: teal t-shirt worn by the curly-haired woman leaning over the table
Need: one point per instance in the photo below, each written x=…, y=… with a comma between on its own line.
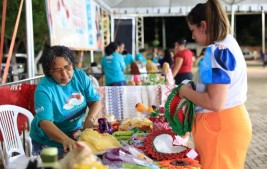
x=65, y=106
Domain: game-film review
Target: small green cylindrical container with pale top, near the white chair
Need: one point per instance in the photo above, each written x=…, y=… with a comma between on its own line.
x=49, y=158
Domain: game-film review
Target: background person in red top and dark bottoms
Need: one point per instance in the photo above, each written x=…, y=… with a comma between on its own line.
x=182, y=67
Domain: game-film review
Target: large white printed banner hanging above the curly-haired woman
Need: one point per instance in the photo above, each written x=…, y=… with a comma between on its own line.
x=73, y=23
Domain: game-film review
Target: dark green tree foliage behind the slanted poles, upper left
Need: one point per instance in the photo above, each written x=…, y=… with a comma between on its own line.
x=40, y=26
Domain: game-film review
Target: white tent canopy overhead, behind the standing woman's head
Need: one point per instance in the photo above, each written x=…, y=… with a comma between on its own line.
x=175, y=7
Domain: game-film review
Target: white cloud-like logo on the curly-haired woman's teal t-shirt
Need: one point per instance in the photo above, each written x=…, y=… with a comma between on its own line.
x=76, y=99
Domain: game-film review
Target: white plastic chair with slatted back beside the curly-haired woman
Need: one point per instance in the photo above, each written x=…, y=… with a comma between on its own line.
x=13, y=154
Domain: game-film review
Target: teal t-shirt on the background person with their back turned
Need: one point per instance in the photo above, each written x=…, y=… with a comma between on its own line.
x=113, y=66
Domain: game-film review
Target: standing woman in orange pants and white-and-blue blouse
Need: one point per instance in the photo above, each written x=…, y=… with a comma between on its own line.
x=222, y=128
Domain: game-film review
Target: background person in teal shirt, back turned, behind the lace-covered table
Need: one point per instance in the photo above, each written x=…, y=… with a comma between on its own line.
x=113, y=66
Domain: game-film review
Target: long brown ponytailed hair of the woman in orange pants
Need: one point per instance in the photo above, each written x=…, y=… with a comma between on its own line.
x=215, y=16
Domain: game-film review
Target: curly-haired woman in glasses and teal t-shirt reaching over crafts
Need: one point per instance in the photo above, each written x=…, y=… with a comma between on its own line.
x=60, y=102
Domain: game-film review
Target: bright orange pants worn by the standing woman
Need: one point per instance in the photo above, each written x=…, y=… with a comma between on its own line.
x=222, y=138
